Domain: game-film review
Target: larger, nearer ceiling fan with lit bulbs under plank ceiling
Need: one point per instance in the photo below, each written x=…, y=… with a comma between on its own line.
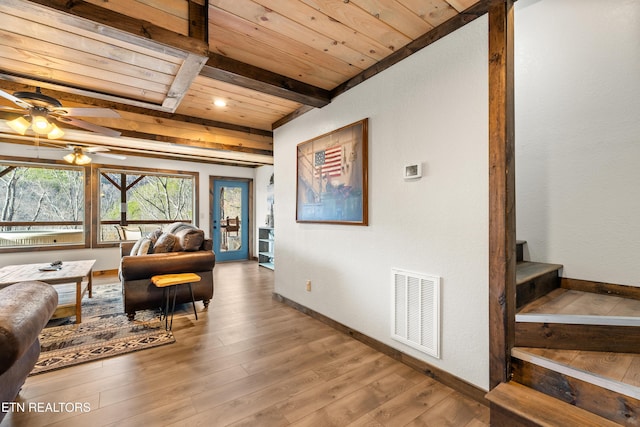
x=42, y=112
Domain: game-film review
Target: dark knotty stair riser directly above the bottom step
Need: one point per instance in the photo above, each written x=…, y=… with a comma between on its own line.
x=606, y=403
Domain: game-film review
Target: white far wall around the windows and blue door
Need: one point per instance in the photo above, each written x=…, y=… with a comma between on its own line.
x=108, y=258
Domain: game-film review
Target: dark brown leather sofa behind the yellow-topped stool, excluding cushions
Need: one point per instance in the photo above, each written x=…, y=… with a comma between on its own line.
x=136, y=272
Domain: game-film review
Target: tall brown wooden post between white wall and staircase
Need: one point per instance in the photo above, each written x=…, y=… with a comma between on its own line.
x=502, y=218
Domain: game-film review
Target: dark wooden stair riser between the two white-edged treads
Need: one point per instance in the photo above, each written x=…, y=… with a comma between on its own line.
x=624, y=339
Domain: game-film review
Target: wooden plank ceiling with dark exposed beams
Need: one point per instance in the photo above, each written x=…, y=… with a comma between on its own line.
x=161, y=64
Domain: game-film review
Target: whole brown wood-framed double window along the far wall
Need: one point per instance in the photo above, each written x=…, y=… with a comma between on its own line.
x=53, y=205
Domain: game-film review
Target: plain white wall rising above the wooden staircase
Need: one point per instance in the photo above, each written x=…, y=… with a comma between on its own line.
x=578, y=135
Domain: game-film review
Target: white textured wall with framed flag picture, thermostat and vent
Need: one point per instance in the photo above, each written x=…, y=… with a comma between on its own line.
x=430, y=108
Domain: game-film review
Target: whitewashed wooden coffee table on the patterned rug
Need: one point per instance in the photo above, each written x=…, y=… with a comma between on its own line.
x=69, y=299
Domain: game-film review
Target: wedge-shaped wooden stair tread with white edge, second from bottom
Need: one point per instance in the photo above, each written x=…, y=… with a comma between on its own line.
x=618, y=372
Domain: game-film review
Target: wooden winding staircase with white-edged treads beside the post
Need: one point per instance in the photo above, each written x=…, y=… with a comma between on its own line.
x=576, y=359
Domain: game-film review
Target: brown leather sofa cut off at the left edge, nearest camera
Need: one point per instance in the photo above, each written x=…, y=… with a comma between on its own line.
x=25, y=308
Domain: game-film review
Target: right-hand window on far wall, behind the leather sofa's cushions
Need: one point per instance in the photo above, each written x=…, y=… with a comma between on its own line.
x=135, y=202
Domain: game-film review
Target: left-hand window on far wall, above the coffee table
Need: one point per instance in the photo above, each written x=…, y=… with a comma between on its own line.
x=41, y=205
